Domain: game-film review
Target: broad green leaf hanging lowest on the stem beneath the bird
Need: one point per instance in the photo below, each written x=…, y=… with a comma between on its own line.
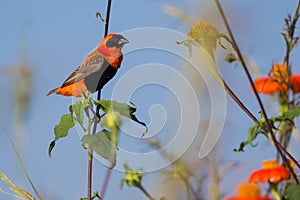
x=102, y=144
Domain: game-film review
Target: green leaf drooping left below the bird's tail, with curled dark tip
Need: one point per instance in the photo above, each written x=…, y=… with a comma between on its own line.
x=61, y=130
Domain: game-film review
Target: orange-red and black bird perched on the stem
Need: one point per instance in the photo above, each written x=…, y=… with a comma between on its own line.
x=96, y=69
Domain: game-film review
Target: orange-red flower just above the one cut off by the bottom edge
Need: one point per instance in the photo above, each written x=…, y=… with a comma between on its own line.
x=271, y=172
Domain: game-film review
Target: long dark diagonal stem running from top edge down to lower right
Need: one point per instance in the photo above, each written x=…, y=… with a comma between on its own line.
x=243, y=63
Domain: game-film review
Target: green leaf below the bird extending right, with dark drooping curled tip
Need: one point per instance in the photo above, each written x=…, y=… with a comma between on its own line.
x=122, y=108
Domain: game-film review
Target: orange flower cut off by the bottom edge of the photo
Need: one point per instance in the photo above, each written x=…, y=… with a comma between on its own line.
x=248, y=191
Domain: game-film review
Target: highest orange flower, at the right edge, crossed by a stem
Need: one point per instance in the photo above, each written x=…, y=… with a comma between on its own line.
x=277, y=81
